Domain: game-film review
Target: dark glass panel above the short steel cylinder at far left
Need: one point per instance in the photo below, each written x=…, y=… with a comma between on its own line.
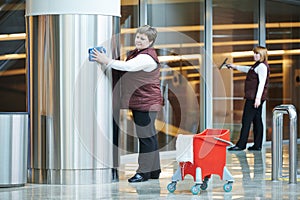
x=13, y=78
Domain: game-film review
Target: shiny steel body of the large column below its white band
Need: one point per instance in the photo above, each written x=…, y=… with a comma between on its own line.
x=71, y=125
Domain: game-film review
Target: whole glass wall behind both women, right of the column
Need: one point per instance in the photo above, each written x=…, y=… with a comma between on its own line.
x=236, y=30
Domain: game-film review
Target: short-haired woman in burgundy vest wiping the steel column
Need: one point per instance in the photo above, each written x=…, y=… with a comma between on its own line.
x=141, y=93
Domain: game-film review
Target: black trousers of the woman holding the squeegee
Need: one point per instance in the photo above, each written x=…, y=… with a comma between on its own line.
x=251, y=115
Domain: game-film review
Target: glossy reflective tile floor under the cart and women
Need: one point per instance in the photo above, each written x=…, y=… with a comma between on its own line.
x=251, y=172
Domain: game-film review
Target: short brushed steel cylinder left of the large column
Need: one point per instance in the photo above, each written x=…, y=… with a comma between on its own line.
x=13, y=149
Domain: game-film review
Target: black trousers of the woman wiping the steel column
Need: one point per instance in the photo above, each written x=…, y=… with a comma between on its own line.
x=148, y=158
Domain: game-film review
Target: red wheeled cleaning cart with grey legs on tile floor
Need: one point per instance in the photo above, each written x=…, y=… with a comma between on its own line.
x=209, y=157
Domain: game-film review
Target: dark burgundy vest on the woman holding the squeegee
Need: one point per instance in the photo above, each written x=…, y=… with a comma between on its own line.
x=252, y=81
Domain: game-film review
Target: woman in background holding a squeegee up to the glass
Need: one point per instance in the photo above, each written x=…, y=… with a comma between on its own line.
x=256, y=88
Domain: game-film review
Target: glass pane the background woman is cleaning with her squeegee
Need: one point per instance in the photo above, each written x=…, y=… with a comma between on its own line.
x=235, y=33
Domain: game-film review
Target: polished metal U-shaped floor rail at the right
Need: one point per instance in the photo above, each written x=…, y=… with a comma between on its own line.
x=277, y=135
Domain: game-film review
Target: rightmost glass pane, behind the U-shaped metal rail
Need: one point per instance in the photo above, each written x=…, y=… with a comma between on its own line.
x=283, y=42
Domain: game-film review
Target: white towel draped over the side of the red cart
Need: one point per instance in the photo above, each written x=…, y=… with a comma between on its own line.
x=184, y=148
